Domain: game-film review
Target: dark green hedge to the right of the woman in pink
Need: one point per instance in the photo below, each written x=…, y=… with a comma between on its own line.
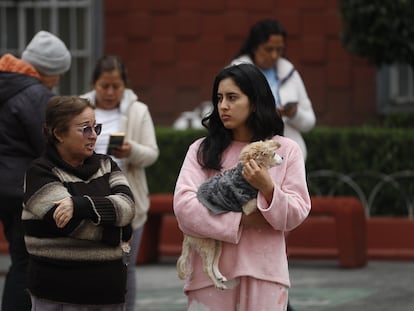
x=378, y=160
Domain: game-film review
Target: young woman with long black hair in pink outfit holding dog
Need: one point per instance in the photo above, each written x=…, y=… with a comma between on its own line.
x=254, y=248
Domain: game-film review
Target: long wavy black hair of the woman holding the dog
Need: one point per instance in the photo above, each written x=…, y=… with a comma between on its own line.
x=264, y=122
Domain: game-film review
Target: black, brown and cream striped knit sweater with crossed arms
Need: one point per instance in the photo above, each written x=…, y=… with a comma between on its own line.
x=80, y=263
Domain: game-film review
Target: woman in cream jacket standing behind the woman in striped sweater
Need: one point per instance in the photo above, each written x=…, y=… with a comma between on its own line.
x=119, y=110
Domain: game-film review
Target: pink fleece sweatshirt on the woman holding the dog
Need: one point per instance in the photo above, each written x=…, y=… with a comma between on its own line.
x=259, y=253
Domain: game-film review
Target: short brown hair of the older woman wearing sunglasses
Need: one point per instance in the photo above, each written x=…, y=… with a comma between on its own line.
x=60, y=111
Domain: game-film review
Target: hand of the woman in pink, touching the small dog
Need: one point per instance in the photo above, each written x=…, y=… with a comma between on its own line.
x=259, y=178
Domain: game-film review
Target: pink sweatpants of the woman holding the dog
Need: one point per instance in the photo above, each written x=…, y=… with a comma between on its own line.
x=250, y=295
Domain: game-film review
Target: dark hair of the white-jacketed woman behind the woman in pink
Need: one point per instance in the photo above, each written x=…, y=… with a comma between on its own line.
x=260, y=33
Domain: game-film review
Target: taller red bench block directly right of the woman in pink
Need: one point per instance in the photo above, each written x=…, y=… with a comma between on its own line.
x=336, y=228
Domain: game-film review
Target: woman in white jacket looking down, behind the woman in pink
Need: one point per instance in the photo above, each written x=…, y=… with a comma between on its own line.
x=265, y=47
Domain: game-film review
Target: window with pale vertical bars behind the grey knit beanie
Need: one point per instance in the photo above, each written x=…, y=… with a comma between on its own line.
x=77, y=22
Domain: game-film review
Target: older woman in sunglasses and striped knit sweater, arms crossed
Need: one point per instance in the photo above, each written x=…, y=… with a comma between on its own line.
x=77, y=215
